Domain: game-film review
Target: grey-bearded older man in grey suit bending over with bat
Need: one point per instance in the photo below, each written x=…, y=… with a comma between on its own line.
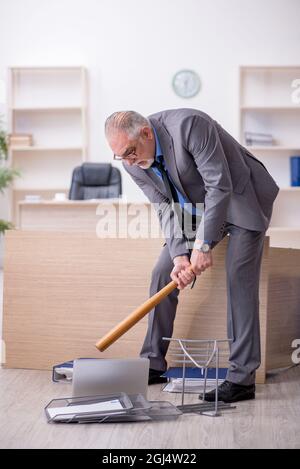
x=184, y=156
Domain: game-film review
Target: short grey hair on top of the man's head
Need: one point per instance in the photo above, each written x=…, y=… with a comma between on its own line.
x=129, y=122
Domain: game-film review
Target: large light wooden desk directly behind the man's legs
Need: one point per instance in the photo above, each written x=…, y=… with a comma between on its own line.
x=63, y=291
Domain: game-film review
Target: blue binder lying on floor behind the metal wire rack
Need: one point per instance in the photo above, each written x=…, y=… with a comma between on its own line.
x=194, y=379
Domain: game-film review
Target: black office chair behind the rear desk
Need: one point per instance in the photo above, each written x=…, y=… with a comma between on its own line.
x=95, y=181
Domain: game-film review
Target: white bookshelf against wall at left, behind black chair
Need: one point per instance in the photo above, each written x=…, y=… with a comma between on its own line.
x=51, y=104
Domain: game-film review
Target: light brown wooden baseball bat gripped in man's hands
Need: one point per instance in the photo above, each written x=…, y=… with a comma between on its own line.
x=120, y=329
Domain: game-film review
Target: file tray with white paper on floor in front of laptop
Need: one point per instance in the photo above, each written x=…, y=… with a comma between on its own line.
x=77, y=409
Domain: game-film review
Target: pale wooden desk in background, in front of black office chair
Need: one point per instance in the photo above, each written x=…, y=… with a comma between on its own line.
x=89, y=215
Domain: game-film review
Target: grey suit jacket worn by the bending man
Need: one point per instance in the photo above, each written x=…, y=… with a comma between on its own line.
x=208, y=166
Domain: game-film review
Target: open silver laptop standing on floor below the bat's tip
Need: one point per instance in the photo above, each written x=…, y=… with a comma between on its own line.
x=93, y=377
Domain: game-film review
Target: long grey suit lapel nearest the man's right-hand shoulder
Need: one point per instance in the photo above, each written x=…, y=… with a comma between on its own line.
x=166, y=144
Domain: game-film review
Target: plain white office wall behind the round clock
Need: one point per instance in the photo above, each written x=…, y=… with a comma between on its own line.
x=132, y=48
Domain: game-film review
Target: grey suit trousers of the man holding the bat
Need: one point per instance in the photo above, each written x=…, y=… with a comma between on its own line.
x=243, y=262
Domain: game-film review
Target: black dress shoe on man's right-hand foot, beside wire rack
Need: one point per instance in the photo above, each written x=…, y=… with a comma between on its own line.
x=231, y=392
